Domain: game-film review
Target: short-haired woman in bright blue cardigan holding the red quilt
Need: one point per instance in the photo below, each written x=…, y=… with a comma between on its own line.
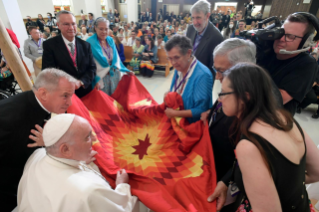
x=192, y=80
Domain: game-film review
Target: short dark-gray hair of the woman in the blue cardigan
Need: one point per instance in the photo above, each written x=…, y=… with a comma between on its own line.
x=179, y=41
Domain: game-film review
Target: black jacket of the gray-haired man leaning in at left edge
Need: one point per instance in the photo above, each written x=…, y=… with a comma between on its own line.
x=19, y=114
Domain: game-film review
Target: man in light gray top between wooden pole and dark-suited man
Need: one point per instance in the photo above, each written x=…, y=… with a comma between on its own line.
x=33, y=47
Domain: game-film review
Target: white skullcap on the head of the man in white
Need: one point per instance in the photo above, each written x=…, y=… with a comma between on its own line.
x=56, y=127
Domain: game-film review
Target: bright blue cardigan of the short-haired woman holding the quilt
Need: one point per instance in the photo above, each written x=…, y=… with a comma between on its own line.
x=198, y=93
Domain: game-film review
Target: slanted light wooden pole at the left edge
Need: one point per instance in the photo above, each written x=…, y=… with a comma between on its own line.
x=13, y=59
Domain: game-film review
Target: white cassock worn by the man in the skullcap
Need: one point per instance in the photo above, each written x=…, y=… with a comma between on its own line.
x=51, y=186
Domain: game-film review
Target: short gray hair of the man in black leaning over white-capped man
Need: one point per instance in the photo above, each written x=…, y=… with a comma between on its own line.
x=49, y=79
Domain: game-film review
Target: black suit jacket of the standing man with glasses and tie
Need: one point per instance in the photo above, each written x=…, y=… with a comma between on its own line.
x=56, y=55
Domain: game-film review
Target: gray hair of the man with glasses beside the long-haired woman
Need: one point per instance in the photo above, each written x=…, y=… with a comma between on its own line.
x=237, y=50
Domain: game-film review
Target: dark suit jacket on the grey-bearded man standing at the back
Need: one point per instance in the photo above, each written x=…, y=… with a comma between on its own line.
x=209, y=41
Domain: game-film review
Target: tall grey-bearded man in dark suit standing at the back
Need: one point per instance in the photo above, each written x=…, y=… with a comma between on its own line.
x=203, y=34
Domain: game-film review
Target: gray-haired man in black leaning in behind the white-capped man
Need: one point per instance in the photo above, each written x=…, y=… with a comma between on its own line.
x=22, y=119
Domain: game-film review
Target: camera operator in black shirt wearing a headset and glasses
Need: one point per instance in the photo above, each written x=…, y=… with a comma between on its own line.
x=292, y=69
